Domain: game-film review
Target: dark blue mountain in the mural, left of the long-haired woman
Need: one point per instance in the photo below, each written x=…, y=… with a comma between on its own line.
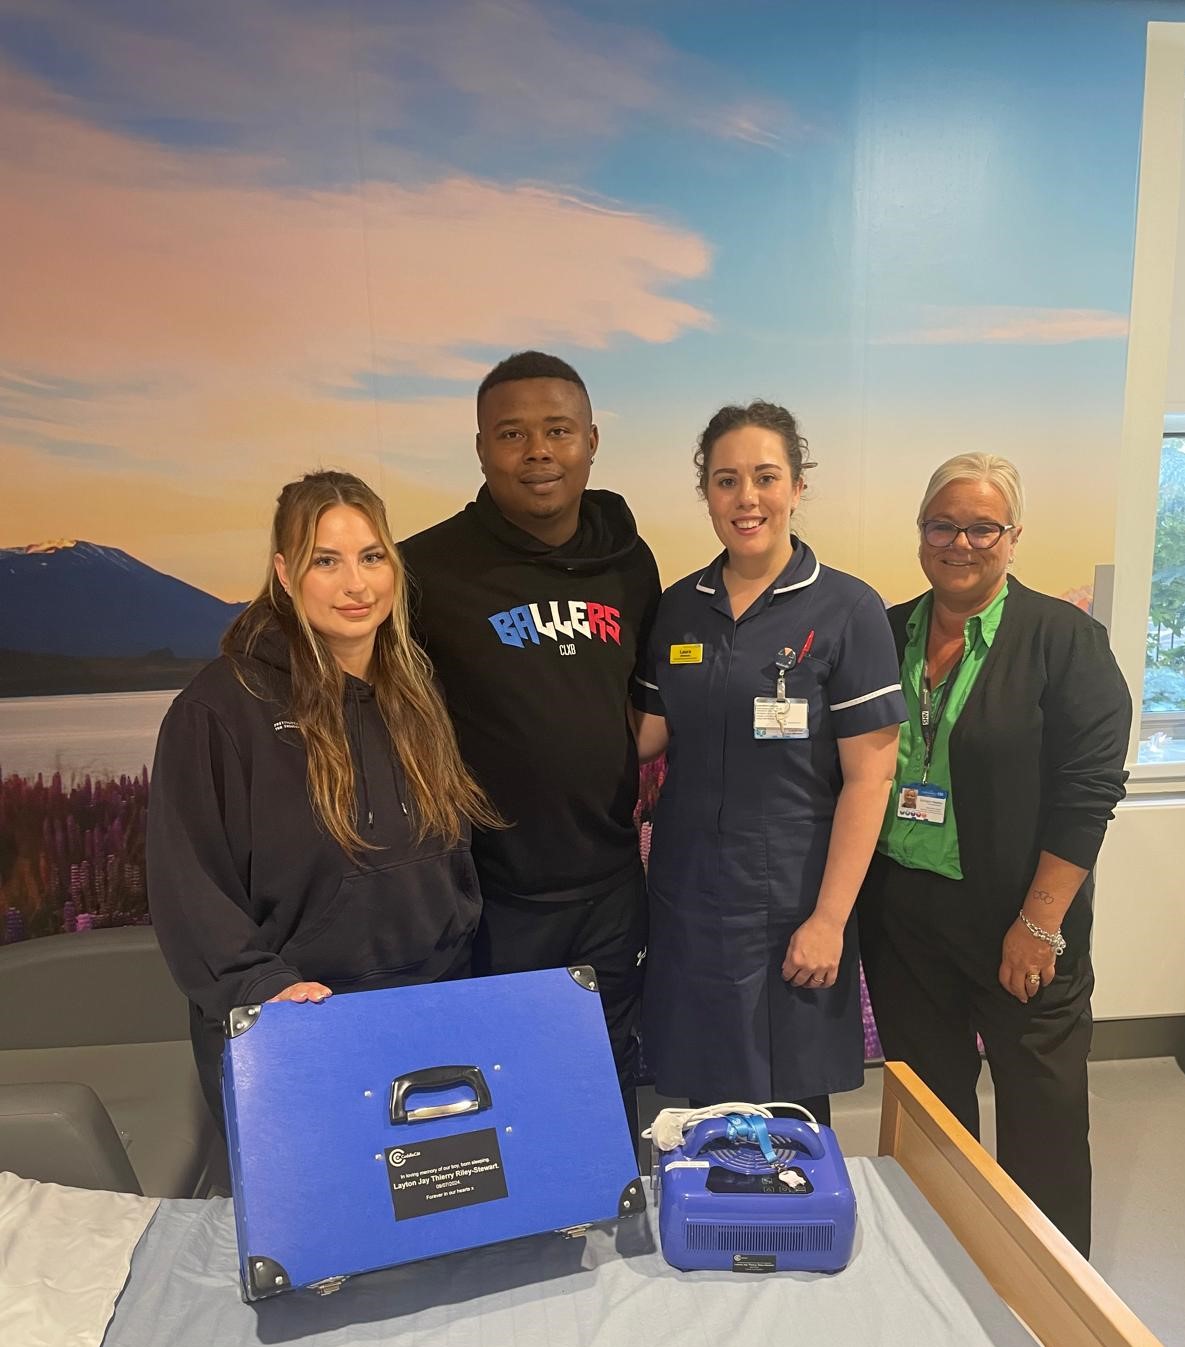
x=80, y=600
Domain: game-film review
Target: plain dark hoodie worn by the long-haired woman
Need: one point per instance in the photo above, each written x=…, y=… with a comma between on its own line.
x=248, y=891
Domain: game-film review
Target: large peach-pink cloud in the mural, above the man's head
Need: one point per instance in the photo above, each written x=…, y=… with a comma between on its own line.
x=169, y=263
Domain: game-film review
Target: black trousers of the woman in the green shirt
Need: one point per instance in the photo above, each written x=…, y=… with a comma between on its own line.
x=933, y=950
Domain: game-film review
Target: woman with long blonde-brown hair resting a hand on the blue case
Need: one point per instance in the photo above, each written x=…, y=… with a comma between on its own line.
x=310, y=816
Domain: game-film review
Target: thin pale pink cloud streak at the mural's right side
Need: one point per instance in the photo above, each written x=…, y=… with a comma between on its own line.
x=1007, y=325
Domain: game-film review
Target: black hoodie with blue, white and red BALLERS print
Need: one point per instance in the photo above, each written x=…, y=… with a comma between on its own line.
x=535, y=647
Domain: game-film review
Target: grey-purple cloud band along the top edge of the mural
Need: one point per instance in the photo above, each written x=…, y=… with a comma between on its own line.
x=313, y=81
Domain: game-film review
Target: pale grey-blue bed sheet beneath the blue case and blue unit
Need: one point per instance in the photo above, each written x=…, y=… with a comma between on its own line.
x=910, y=1282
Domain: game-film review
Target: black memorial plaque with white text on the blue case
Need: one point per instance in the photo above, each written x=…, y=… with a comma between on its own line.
x=446, y=1174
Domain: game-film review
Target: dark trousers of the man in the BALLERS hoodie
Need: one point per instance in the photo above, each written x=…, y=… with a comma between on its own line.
x=608, y=933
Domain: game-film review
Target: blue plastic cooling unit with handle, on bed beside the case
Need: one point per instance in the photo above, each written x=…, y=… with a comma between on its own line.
x=722, y=1205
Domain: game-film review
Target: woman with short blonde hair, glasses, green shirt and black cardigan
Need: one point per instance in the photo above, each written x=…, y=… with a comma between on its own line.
x=976, y=915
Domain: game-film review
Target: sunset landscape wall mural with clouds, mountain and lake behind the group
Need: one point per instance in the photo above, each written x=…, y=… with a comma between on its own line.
x=244, y=242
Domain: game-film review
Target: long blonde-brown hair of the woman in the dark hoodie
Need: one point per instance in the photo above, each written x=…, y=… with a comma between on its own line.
x=444, y=795
